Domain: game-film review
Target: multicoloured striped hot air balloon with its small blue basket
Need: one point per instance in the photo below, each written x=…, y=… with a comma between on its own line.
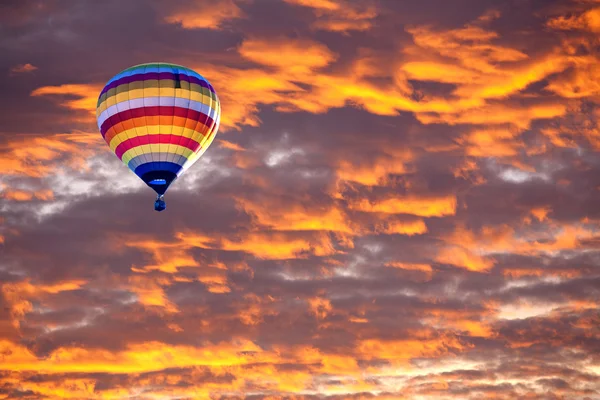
x=158, y=118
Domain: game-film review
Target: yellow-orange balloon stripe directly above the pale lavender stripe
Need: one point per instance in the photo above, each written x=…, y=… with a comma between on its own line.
x=192, y=92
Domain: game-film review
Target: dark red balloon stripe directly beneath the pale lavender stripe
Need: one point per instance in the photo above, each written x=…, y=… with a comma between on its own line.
x=167, y=111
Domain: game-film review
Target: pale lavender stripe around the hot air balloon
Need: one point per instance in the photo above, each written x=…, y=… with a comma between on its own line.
x=167, y=101
